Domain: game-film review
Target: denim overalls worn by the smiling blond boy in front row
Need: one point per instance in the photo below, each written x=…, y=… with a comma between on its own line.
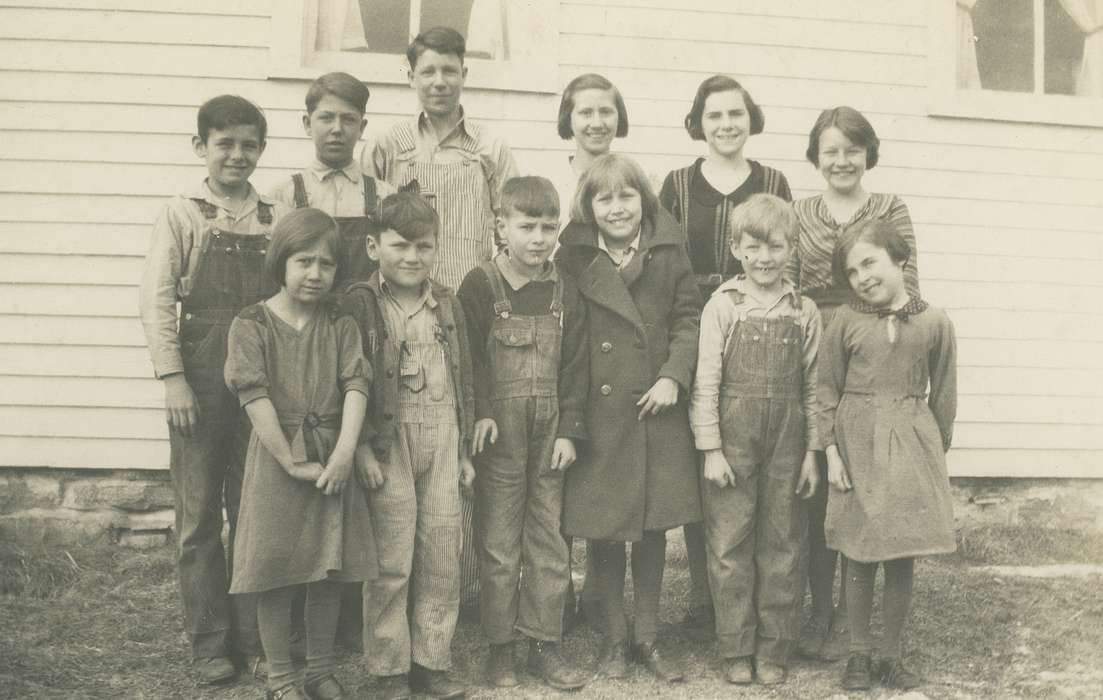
x=755, y=529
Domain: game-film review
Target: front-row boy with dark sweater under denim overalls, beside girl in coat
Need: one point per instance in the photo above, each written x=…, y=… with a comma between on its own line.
x=531, y=367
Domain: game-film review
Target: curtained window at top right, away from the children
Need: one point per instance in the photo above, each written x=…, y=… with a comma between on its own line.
x=1019, y=60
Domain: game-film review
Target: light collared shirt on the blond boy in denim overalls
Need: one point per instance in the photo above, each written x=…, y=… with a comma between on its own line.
x=718, y=322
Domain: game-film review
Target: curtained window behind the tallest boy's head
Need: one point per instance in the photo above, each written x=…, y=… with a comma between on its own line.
x=511, y=46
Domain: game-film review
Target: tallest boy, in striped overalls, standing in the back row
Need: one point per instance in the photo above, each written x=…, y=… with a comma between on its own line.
x=461, y=168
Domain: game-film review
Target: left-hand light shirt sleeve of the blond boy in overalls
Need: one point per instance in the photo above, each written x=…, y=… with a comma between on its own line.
x=716, y=322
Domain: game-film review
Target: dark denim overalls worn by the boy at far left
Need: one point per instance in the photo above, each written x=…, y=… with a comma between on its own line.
x=208, y=468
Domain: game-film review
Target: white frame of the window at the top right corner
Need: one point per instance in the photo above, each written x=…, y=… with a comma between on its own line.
x=947, y=100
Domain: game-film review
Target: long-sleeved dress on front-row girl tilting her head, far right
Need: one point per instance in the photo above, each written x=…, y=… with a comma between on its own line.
x=891, y=434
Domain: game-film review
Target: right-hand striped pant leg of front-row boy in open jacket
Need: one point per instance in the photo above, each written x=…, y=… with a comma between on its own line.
x=435, y=584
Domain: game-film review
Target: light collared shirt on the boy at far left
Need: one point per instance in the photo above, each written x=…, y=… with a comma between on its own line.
x=179, y=236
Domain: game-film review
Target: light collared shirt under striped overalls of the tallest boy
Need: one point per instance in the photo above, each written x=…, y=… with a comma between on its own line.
x=498, y=165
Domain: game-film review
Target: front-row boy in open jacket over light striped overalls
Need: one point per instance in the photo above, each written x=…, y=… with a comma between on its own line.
x=417, y=451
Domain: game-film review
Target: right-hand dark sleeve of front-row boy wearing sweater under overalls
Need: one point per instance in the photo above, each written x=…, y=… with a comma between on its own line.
x=574, y=367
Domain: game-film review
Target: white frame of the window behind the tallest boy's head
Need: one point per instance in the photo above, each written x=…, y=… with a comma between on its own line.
x=292, y=56
